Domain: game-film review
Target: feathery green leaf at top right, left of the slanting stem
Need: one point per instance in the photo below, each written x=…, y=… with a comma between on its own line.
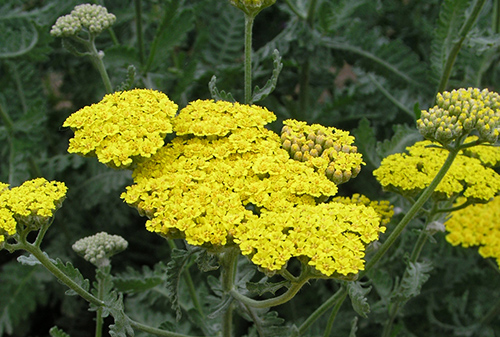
x=451, y=18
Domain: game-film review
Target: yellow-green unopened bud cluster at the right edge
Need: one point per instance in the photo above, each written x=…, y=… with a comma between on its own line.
x=461, y=112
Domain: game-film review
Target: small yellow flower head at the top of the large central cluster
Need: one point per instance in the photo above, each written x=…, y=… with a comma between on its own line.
x=218, y=119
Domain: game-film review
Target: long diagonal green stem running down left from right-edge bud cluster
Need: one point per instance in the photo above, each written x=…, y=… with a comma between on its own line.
x=413, y=211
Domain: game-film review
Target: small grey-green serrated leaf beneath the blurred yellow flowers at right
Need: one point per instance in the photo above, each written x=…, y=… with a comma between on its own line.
x=417, y=273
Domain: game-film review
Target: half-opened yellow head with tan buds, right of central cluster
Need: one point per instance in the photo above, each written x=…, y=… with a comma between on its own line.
x=328, y=150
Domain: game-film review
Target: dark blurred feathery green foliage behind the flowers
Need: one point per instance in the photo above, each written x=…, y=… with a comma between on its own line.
x=367, y=66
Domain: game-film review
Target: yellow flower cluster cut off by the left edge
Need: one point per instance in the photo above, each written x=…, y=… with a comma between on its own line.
x=30, y=205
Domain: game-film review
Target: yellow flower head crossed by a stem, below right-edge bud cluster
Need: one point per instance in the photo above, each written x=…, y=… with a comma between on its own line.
x=409, y=174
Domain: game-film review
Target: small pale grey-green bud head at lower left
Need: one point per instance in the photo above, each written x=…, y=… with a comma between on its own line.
x=99, y=248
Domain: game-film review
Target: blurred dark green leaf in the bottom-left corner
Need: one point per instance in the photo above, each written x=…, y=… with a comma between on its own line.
x=21, y=291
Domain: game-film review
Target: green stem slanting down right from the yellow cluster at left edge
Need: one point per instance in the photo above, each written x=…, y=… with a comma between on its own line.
x=47, y=263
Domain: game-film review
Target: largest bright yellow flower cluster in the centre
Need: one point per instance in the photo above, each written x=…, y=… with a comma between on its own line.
x=225, y=180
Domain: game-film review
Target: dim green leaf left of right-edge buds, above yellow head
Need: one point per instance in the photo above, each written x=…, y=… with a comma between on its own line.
x=404, y=136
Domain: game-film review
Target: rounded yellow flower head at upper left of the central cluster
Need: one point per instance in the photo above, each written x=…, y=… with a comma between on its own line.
x=122, y=128
